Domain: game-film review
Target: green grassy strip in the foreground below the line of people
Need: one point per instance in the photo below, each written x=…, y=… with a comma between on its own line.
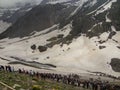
x=25, y=82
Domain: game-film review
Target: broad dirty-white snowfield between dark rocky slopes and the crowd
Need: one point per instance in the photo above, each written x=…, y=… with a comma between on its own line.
x=80, y=56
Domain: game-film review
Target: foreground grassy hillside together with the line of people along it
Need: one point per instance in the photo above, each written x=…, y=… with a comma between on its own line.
x=30, y=80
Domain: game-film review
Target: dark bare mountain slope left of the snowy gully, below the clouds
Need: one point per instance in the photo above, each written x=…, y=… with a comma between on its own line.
x=37, y=19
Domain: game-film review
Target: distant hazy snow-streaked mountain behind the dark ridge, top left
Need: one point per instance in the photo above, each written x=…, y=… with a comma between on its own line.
x=8, y=16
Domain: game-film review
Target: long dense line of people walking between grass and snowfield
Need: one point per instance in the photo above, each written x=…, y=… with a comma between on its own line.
x=71, y=79
